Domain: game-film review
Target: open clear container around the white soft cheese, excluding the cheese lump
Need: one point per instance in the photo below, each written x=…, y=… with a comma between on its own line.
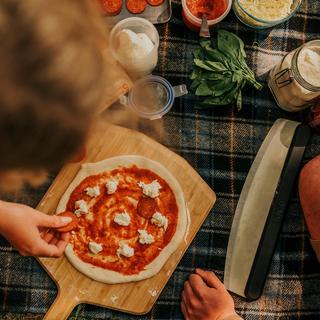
x=136, y=65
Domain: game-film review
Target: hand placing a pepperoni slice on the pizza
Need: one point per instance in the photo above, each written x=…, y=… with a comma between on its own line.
x=32, y=232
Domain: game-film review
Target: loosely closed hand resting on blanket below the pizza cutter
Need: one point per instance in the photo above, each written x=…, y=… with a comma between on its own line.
x=204, y=297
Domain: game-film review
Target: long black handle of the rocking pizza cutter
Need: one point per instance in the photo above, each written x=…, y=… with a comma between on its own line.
x=269, y=237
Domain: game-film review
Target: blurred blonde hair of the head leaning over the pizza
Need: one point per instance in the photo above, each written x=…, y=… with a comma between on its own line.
x=51, y=80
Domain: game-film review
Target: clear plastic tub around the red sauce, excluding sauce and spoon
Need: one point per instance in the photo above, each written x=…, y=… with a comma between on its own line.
x=194, y=23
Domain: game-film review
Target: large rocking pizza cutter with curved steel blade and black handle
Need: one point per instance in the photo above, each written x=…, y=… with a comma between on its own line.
x=261, y=208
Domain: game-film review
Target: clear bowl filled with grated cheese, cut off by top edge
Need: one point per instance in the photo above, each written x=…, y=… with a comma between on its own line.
x=261, y=14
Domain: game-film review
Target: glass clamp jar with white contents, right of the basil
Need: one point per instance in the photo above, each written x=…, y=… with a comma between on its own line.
x=295, y=81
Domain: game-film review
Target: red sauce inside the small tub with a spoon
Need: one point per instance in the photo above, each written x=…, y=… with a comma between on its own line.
x=198, y=7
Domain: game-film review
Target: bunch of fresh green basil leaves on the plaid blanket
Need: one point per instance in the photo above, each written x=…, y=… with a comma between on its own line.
x=220, y=70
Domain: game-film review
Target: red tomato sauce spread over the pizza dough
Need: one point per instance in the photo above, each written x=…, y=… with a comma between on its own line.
x=102, y=229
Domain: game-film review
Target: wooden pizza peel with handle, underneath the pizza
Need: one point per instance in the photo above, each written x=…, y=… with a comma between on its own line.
x=136, y=297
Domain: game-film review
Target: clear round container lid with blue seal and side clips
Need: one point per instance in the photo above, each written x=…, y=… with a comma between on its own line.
x=152, y=97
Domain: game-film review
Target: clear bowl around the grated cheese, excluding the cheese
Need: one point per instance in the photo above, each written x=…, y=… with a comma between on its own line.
x=250, y=20
